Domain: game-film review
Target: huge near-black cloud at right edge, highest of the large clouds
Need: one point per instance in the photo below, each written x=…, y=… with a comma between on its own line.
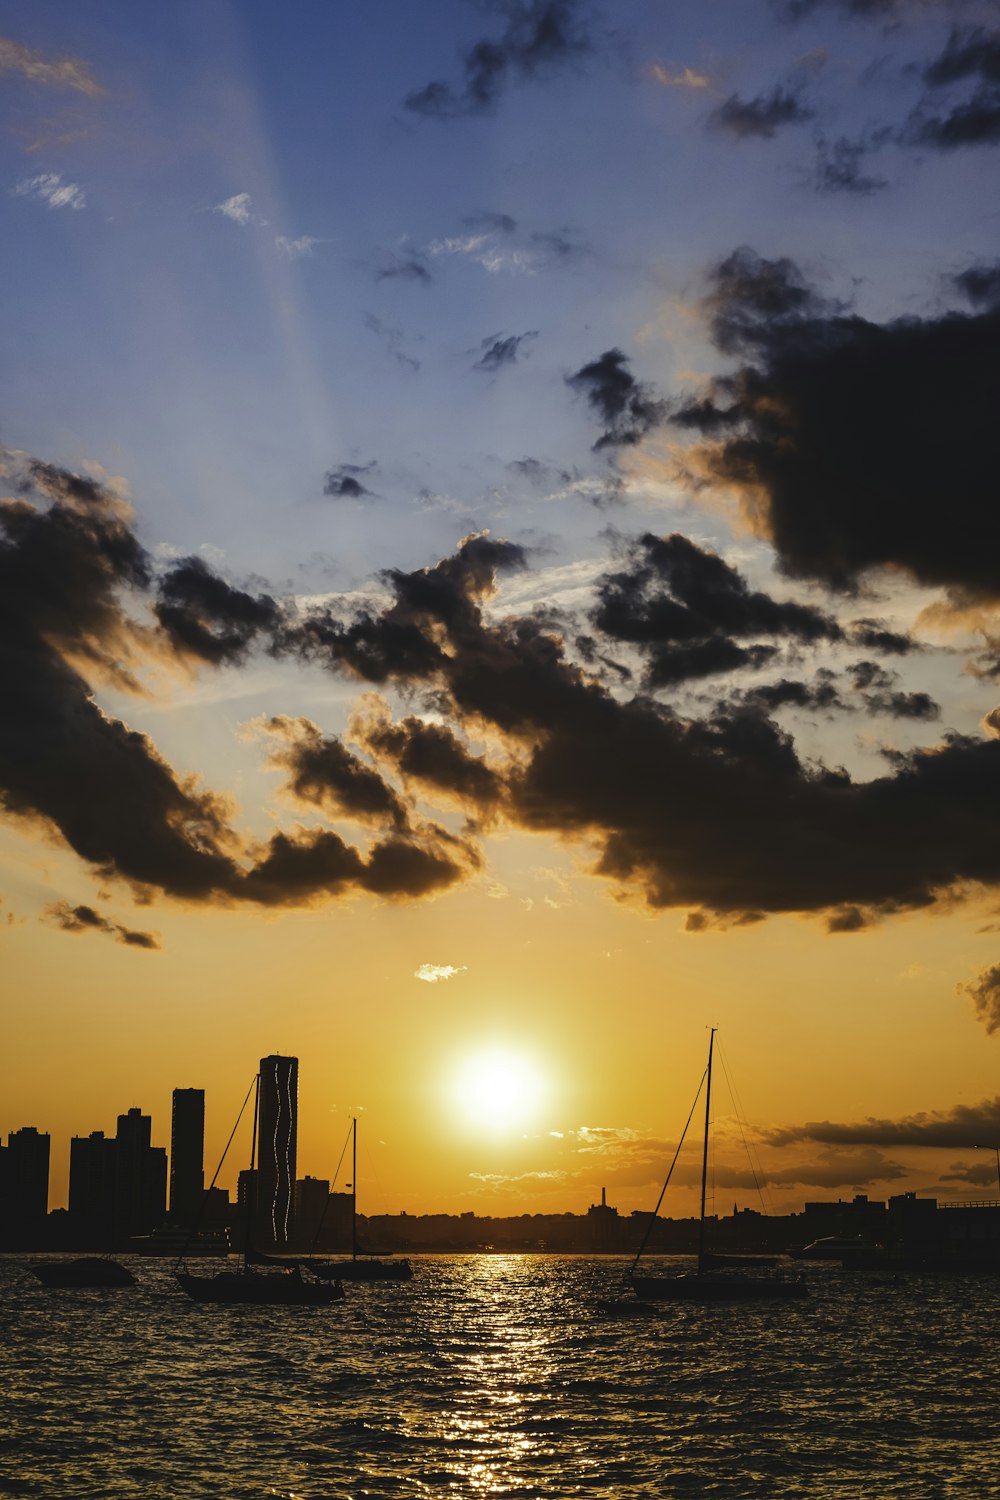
x=855, y=446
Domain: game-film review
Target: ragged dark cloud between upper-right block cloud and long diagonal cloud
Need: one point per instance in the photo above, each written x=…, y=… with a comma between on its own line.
x=684, y=607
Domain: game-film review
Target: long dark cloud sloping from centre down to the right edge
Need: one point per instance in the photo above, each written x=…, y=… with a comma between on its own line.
x=716, y=815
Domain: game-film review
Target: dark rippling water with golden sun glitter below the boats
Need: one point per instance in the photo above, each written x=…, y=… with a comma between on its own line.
x=501, y=1376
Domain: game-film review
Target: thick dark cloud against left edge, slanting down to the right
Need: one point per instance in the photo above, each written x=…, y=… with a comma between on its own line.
x=64, y=574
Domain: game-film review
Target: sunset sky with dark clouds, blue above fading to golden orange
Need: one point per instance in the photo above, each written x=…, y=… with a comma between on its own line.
x=499, y=575
